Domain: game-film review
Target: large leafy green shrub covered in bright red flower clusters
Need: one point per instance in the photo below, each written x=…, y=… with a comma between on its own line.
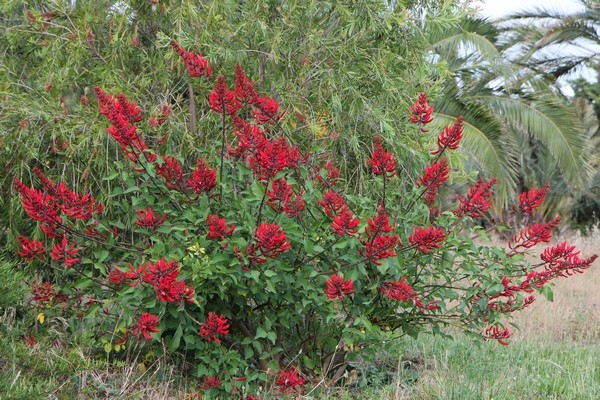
x=253, y=258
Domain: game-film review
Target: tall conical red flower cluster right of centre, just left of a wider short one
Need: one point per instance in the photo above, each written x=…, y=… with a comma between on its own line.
x=377, y=244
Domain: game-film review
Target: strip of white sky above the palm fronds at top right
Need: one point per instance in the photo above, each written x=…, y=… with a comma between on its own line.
x=500, y=8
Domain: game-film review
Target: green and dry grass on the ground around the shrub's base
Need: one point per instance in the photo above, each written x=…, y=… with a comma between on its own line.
x=554, y=355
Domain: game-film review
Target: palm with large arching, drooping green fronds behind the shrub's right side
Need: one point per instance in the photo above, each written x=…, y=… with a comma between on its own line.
x=518, y=127
